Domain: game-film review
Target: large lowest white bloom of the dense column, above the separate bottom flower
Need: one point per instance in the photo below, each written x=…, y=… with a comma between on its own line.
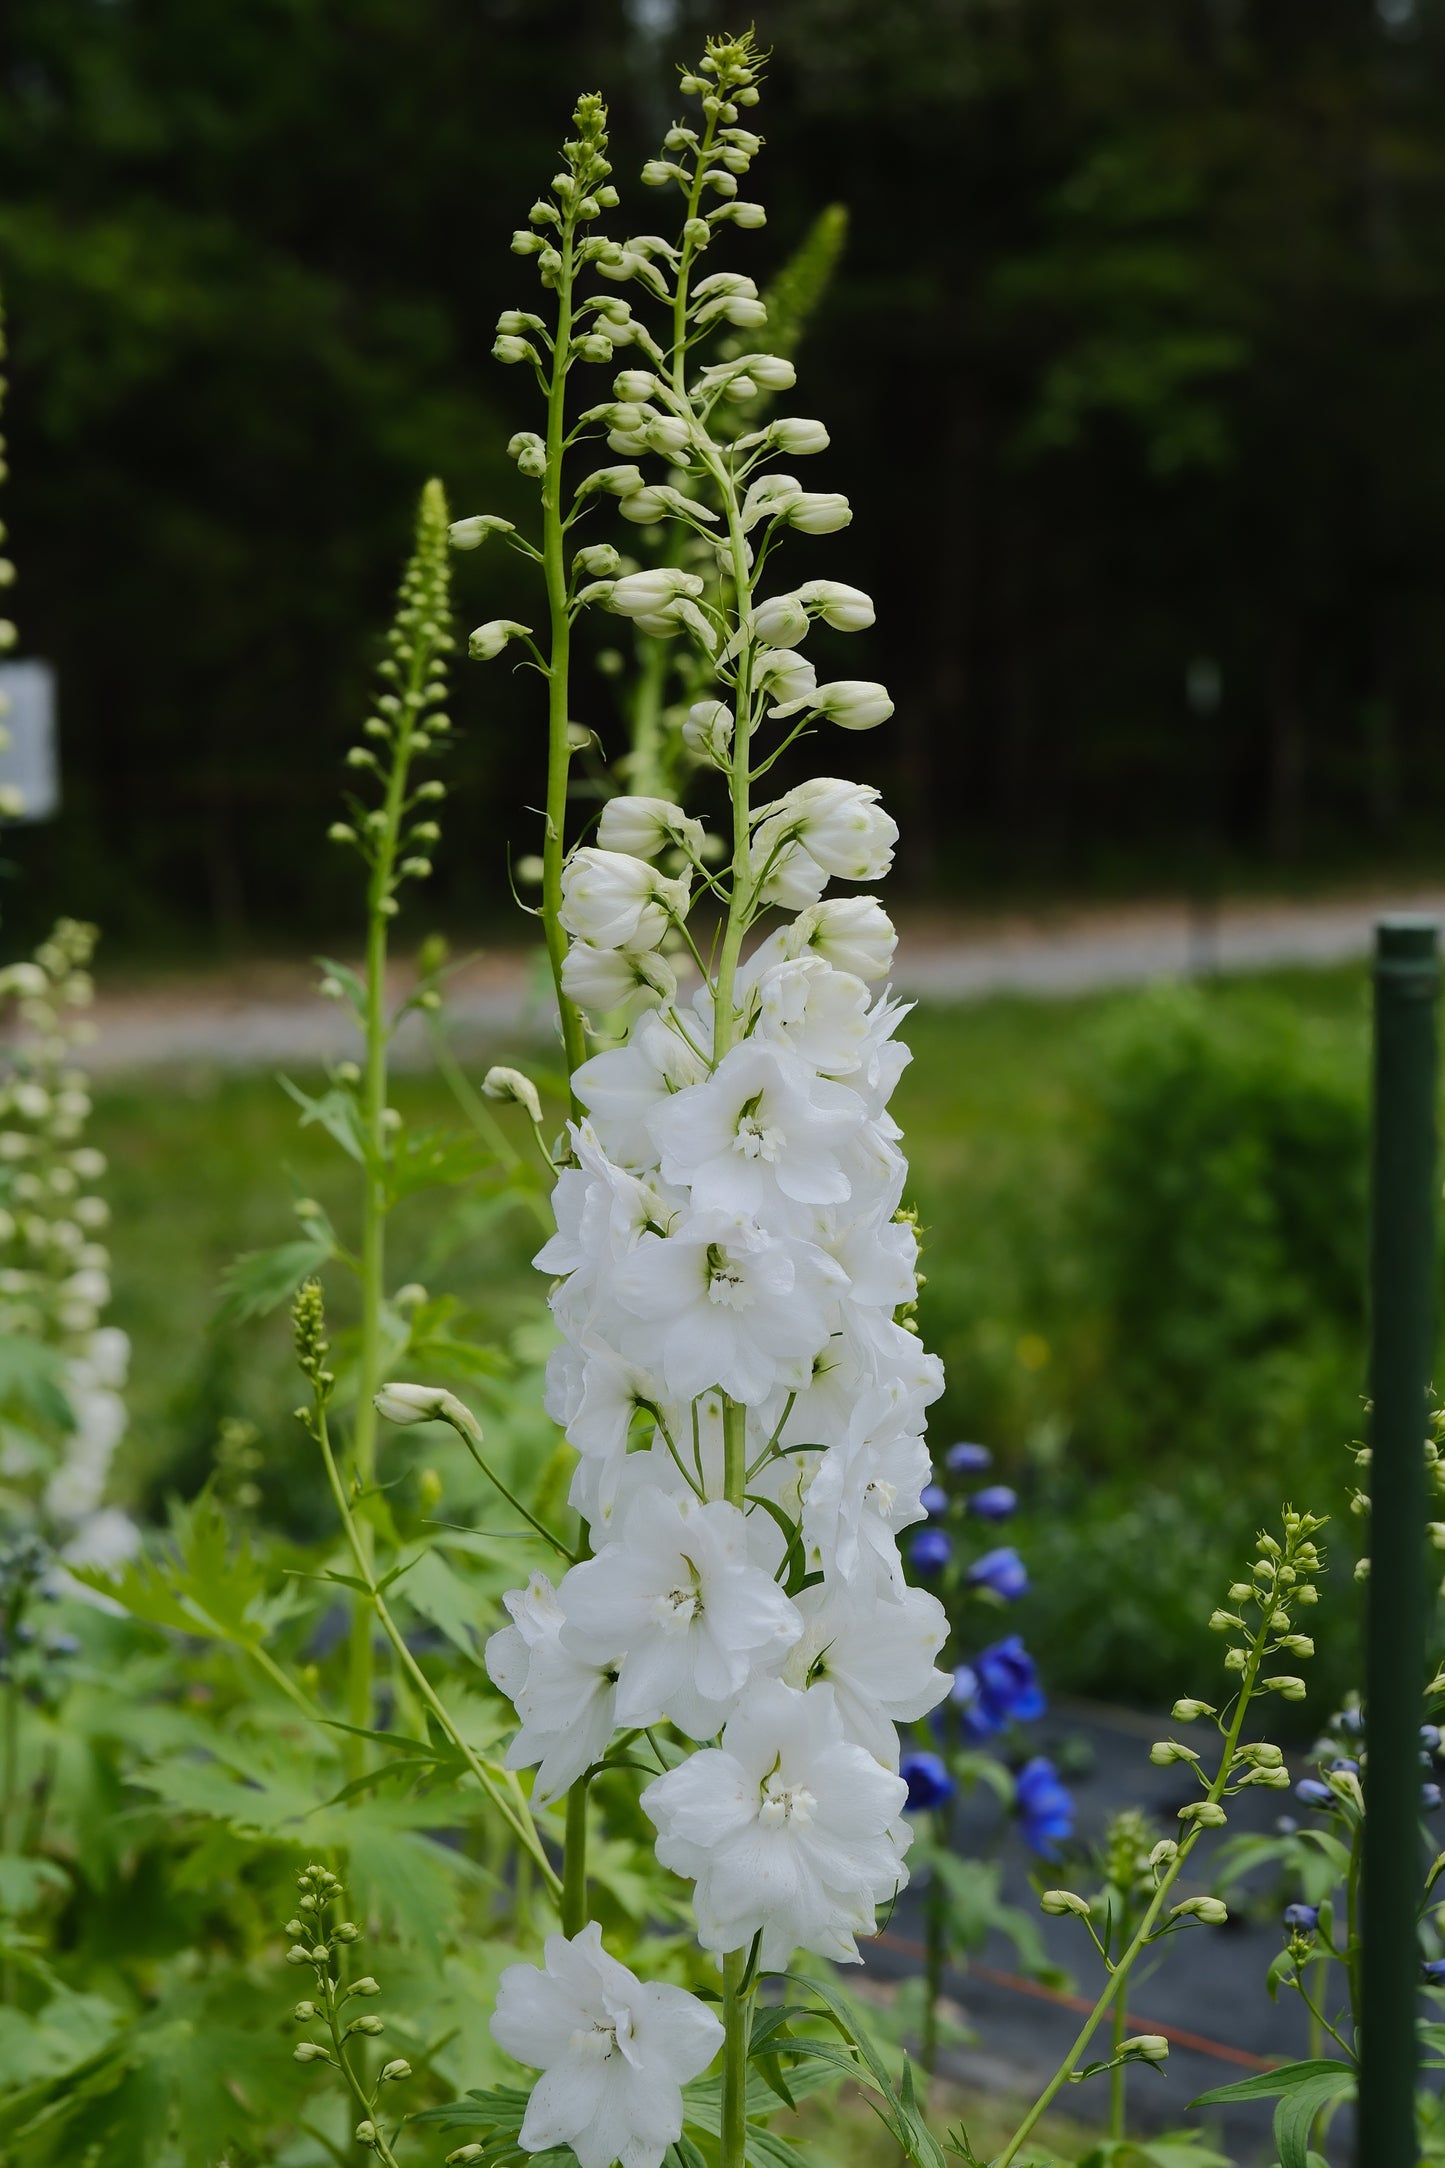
x=787, y=1829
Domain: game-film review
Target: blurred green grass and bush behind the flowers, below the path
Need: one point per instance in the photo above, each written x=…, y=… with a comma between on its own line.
x=1145, y=1237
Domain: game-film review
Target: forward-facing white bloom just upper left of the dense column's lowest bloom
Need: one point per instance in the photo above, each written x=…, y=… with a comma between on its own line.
x=692, y=1616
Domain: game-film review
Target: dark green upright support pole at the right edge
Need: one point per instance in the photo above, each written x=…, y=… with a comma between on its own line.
x=1401, y=1354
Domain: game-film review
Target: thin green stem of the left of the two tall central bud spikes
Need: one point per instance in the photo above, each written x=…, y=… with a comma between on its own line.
x=560, y=660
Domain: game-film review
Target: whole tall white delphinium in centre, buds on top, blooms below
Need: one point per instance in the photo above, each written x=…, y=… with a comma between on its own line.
x=733, y=1265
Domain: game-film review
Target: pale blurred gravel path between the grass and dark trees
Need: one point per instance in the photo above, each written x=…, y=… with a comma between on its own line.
x=268, y=1016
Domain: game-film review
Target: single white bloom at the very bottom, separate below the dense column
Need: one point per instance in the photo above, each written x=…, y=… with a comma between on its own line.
x=612, y=2050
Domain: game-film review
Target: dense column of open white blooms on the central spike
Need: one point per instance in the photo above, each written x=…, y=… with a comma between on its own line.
x=731, y=1233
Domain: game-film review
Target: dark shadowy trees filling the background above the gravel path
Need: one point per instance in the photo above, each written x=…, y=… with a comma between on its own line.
x=1136, y=363
